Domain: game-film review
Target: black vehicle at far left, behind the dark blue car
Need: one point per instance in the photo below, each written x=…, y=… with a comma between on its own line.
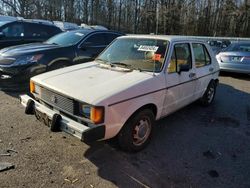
x=23, y=32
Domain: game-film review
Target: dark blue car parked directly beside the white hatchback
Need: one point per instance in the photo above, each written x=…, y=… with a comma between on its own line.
x=19, y=63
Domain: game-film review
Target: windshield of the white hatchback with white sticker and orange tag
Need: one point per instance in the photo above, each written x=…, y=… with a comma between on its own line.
x=136, y=53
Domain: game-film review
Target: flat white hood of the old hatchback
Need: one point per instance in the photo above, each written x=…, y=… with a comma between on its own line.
x=90, y=83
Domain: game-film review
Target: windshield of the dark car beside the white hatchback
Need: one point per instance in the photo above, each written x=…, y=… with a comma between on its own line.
x=66, y=38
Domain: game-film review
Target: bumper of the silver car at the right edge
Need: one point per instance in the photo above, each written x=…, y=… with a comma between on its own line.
x=235, y=67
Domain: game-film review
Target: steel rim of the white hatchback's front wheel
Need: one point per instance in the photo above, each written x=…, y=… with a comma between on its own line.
x=141, y=131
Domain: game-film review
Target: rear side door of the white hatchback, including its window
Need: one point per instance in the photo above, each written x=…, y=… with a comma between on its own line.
x=204, y=67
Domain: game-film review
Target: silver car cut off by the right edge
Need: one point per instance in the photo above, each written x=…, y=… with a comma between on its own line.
x=235, y=58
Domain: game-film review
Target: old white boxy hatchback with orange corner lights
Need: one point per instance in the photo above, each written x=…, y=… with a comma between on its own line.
x=137, y=80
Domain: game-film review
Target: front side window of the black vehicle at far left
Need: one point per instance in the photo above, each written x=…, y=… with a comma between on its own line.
x=14, y=30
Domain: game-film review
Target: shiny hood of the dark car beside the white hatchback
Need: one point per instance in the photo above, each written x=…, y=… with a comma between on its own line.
x=27, y=49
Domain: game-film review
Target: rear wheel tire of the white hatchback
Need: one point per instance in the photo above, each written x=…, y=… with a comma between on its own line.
x=209, y=94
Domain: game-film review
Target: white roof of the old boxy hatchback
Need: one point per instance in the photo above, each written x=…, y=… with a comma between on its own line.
x=171, y=38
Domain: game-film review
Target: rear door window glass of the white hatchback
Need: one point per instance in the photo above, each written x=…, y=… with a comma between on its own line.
x=201, y=55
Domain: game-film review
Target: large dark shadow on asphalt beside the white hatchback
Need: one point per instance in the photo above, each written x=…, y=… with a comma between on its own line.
x=193, y=147
